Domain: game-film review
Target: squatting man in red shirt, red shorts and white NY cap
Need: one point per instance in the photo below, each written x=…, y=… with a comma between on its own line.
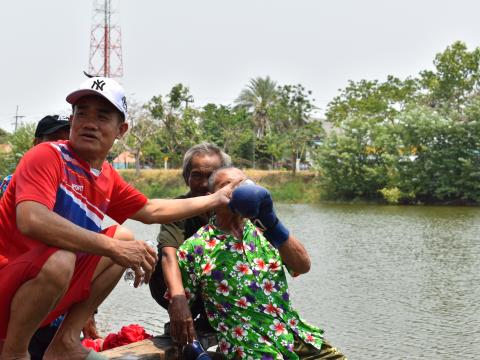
x=54, y=256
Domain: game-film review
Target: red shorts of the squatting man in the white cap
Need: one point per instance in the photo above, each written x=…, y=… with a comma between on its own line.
x=28, y=265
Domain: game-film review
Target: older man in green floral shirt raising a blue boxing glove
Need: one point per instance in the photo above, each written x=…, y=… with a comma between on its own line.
x=239, y=270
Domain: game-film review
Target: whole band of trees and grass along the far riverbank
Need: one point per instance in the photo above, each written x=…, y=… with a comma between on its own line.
x=412, y=140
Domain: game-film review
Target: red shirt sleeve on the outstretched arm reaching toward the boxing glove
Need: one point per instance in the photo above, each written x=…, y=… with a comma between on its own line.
x=125, y=200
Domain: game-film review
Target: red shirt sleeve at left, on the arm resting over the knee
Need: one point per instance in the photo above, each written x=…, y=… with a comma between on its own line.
x=38, y=176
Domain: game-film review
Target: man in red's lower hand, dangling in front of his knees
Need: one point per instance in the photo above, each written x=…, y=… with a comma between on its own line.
x=138, y=256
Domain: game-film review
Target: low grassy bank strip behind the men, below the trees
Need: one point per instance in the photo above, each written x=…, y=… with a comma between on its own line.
x=285, y=188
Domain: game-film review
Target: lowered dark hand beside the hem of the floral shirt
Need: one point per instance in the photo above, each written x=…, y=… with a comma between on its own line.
x=181, y=322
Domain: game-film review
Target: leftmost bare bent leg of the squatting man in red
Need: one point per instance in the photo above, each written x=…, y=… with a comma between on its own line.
x=34, y=300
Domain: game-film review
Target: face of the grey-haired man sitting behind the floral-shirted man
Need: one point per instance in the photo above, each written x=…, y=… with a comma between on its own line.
x=202, y=167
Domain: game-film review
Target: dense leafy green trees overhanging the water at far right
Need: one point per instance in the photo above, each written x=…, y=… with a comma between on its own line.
x=408, y=141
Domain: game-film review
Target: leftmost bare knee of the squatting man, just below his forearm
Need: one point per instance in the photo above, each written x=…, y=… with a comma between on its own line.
x=58, y=269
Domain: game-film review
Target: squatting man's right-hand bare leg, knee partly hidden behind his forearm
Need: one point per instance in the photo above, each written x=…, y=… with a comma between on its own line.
x=67, y=338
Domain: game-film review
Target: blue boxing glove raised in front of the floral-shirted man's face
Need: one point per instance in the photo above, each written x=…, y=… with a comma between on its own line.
x=255, y=202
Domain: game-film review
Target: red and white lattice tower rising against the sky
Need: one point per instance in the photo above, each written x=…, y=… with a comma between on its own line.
x=105, y=41
